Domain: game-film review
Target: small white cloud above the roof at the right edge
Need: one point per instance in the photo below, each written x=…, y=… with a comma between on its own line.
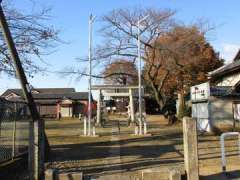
x=229, y=50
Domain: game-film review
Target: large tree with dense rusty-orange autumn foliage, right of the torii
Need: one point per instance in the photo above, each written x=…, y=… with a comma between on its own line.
x=179, y=59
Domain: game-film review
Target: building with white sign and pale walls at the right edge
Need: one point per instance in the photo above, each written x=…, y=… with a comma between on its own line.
x=216, y=103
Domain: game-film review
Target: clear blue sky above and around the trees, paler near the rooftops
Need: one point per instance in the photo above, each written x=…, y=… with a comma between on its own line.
x=71, y=17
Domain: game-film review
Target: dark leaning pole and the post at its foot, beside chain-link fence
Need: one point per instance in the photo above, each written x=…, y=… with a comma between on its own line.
x=36, y=135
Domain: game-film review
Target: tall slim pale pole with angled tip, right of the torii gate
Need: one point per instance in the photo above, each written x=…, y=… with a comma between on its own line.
x=139, y=74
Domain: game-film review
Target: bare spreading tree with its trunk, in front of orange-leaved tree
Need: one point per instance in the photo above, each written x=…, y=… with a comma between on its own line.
x=120, y=34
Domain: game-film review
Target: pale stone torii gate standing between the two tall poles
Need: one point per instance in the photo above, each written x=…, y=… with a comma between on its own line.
x=127, y=91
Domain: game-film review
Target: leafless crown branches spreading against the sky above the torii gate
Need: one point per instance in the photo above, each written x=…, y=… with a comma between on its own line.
x=119, y=33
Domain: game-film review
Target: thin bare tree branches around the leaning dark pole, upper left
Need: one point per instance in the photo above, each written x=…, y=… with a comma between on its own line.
x=32, y=35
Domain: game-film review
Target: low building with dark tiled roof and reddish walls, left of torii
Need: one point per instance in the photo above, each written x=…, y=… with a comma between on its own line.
x=53, y=102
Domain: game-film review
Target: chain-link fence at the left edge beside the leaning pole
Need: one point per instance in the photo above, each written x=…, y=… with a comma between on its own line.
x=14, y=129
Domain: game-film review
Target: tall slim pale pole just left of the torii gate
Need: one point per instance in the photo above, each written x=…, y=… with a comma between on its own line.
x=91, y=20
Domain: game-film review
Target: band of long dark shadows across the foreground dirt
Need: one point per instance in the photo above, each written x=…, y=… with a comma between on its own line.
x=69, y=157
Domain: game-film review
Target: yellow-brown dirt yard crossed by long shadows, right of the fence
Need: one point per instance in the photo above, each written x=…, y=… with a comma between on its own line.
x=114, y=153
